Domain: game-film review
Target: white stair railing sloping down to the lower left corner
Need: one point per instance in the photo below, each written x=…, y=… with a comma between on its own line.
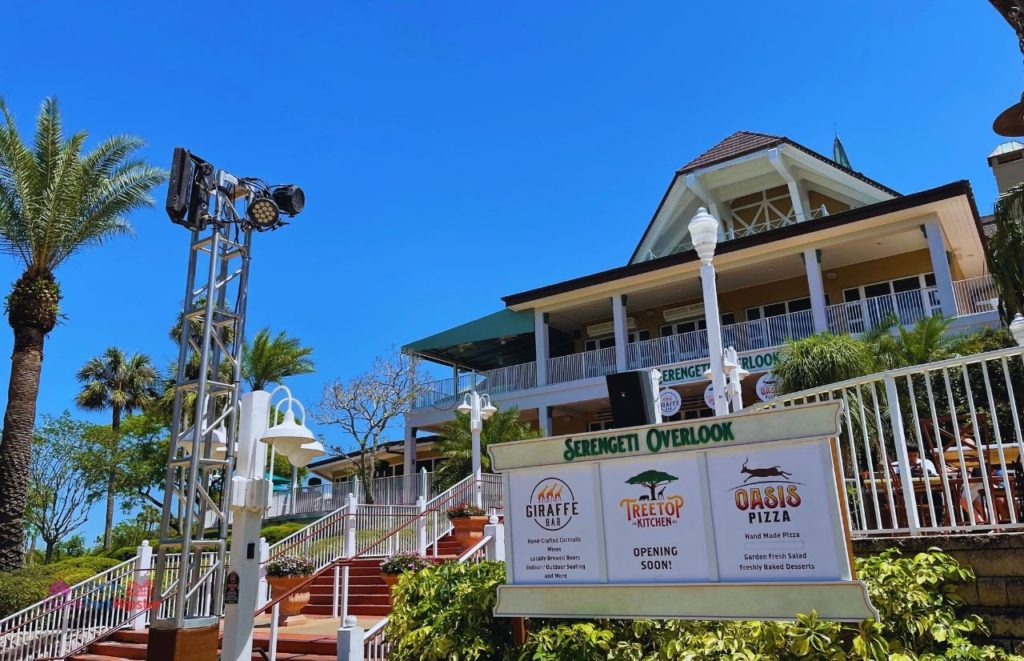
x=79, y=615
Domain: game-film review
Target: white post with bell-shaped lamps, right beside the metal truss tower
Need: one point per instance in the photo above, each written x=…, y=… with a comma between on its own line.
x=250, y=495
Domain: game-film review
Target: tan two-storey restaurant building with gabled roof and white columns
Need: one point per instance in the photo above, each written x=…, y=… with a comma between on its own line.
x=807, y=245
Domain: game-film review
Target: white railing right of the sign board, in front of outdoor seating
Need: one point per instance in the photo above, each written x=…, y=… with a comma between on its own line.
x=934, y=448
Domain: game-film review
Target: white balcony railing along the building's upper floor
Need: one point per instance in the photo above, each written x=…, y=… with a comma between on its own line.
x=974, y=296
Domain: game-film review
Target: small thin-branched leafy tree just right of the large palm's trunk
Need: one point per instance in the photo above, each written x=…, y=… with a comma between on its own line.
x=59, y=494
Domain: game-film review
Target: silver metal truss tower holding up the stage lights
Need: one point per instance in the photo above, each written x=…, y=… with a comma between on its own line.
x=188, y=589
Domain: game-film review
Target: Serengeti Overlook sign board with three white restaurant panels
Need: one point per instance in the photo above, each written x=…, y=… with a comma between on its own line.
x=730, y=518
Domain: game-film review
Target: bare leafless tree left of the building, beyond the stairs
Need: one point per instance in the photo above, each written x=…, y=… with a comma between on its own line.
x=368, y=407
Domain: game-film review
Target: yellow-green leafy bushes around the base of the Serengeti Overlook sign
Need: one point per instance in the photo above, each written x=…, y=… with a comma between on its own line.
x=445, y=612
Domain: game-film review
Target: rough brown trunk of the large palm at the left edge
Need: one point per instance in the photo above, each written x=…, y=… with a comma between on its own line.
x=16, y=448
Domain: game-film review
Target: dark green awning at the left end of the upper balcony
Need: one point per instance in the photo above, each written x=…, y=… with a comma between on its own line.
x=489, y=342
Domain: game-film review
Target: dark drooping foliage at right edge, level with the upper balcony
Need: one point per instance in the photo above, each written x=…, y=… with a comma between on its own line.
x=1004, y=250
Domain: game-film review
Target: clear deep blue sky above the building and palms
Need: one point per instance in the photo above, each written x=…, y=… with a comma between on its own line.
x=453, y=153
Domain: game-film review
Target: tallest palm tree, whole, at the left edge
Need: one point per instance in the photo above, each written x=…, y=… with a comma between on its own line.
x=55, y=202
